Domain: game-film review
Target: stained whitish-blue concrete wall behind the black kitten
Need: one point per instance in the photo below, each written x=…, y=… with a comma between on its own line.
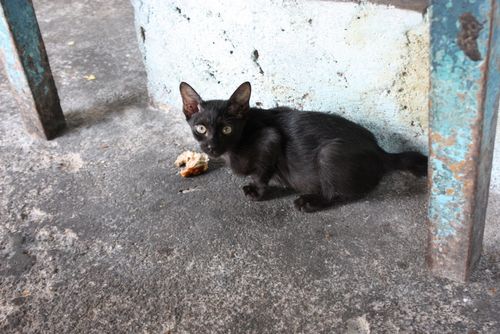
x=364, y=61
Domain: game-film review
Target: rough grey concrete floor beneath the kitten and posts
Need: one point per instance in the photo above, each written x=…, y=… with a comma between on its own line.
x=99, y=233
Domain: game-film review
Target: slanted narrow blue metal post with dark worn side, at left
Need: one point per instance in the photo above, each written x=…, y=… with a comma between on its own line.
x=26, y=64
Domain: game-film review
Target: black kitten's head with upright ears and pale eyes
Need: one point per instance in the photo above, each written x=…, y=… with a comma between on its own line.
x=217, y=125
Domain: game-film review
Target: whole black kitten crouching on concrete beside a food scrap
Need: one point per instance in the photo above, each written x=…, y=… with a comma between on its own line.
x=323, y=157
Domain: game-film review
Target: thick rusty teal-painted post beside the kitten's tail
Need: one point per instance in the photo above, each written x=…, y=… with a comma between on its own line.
x=465, y=86
